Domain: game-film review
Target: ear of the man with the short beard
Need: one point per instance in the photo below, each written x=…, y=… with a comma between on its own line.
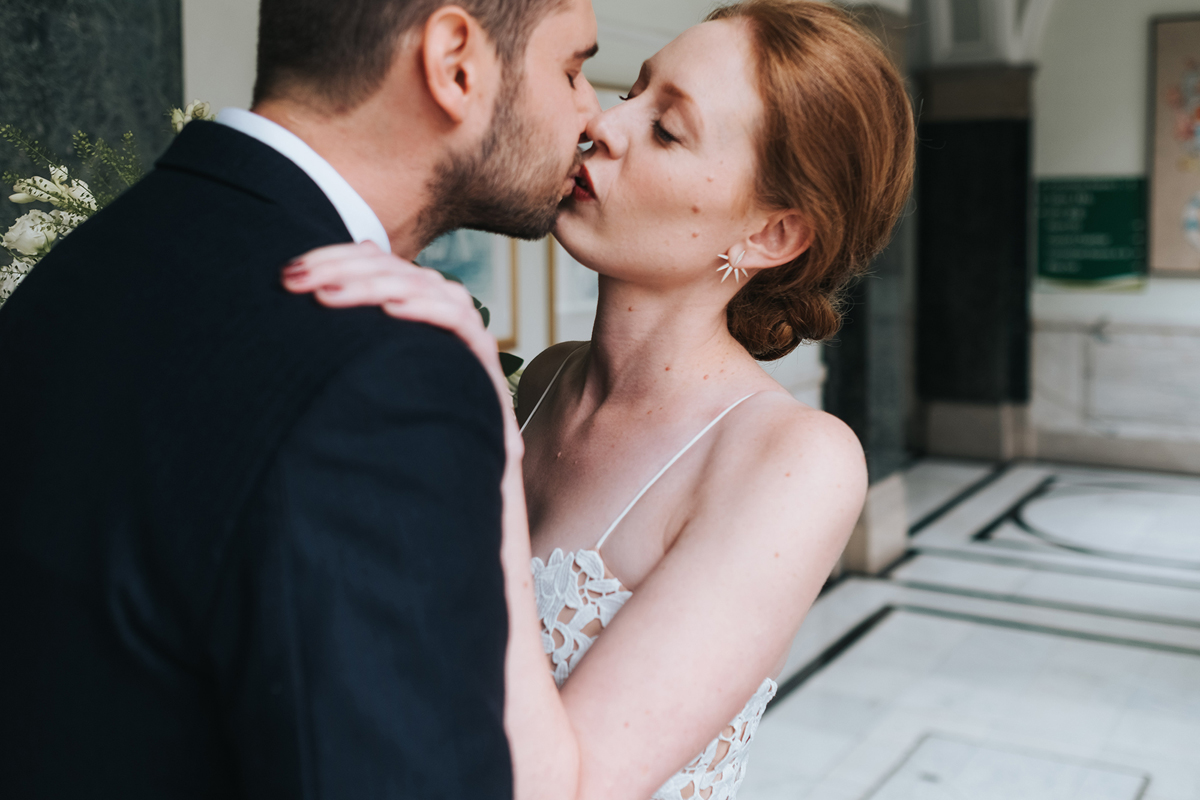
x=460, y=63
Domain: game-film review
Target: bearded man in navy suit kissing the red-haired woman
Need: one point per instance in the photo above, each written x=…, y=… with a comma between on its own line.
x=249, y=546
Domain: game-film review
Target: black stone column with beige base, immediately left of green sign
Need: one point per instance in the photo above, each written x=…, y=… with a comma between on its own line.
x=974, y=279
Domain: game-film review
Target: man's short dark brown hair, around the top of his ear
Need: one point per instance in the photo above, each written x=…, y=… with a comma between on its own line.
x=341, y=50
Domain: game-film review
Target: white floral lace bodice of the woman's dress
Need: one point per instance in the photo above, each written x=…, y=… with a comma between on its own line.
x=577, y=599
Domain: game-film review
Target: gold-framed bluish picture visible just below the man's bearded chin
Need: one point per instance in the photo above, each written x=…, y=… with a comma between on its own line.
x=488, y=267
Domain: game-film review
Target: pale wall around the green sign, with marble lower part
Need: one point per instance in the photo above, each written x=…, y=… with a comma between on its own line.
x=1117, y=376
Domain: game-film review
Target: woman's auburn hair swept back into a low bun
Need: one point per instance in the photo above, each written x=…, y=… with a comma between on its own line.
x=837, y=145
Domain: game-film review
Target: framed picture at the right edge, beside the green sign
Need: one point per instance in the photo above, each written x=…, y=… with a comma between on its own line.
x=1175, y=146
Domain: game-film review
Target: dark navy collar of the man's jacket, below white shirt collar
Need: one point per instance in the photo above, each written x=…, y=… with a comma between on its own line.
x=229, y=157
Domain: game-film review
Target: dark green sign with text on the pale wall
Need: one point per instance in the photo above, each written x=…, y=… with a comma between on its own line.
x=1093, y=231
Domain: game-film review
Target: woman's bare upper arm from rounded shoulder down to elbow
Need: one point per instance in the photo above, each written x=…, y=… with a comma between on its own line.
x=782, y=490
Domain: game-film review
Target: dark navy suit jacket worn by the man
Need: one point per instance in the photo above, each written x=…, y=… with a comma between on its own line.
x=249, y=546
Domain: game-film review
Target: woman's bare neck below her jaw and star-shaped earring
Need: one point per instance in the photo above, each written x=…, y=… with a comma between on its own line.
x=652, y=345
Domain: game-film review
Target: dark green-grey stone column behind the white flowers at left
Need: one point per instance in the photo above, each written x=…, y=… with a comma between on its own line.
x=103, y=67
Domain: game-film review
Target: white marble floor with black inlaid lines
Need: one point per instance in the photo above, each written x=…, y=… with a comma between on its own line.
x=1040, y=642
